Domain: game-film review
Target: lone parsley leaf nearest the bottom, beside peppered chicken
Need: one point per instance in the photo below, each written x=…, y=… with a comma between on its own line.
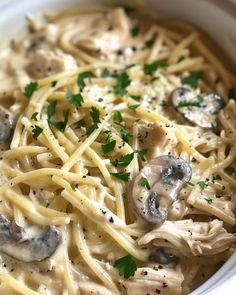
x=126, y=266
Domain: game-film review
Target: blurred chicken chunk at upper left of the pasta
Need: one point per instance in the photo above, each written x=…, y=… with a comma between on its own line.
x=47, y=62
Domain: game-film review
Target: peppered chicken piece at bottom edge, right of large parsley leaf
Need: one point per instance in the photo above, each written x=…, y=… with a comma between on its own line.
x=155, y=280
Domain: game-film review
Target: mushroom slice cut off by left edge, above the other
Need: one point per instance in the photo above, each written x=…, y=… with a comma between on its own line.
x=6, y=127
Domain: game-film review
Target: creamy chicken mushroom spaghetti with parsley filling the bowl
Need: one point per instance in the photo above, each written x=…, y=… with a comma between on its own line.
x=117, y=156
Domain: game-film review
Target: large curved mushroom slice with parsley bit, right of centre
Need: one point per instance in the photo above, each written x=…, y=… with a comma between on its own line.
x=157, y=186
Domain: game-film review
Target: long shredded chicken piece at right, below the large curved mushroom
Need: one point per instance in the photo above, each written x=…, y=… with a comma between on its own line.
x=191, y=238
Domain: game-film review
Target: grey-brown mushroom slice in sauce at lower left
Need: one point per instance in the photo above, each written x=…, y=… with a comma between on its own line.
x=17, y=244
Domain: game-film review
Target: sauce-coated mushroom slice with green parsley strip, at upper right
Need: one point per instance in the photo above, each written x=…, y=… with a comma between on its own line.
x=199, y=110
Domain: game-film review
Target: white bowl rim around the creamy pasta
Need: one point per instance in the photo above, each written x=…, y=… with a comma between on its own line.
x=215, y=17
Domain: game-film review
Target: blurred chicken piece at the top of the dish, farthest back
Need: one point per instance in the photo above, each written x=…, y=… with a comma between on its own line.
x=105, y=41
